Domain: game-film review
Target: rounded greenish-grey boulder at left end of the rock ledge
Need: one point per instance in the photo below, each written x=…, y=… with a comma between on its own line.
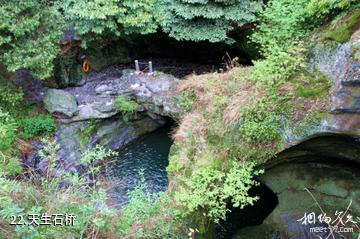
x=60, y=102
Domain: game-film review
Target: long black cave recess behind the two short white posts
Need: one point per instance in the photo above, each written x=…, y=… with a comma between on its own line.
x=179, y=58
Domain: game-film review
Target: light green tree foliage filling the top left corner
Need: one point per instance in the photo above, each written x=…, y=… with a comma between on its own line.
x=29, y=35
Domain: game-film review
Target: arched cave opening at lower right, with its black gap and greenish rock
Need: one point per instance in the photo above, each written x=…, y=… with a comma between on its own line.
x=327, y=165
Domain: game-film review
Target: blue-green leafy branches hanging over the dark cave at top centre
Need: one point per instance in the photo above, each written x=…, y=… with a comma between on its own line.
x=201, y=20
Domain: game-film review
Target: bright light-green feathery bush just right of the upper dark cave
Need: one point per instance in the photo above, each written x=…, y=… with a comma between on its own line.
x=282, y=25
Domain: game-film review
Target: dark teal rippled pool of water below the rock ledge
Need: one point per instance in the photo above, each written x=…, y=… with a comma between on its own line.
x=150, y=154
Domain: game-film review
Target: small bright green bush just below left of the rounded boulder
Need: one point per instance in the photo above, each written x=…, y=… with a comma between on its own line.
x=35, y=126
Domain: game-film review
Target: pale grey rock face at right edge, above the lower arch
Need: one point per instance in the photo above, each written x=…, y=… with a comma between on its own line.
x=339, y=62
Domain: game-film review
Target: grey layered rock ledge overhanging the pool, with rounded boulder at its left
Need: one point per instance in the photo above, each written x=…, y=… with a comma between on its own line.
x=88, y=114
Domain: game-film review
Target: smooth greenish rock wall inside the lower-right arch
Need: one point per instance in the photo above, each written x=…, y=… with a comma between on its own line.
x=332, y=193
